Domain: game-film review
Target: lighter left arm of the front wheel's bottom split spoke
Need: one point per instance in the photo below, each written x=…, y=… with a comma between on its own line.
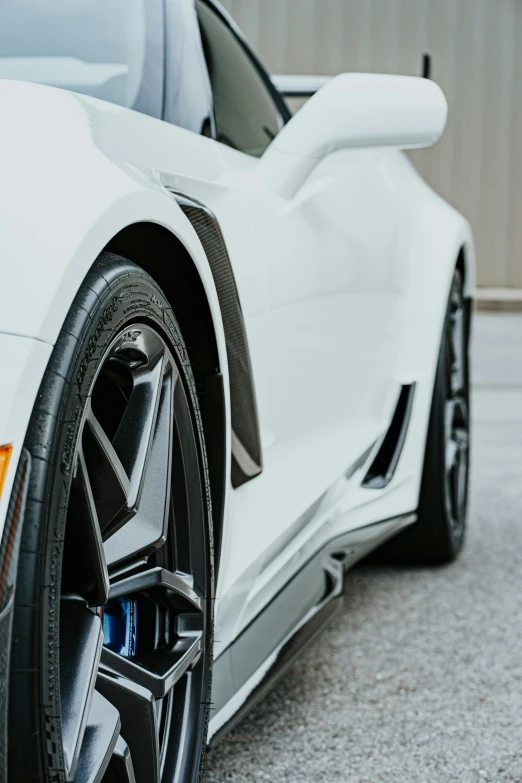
x=101, y=736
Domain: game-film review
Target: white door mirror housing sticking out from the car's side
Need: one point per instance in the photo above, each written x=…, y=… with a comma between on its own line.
x=354, y=111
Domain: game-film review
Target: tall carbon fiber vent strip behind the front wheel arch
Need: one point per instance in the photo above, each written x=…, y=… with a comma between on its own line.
x=246, y=443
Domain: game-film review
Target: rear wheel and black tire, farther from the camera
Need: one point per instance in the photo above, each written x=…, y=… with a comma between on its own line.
x=438, y=535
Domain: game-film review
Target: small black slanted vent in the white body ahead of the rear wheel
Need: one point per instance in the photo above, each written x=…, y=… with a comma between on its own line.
x=383, y=466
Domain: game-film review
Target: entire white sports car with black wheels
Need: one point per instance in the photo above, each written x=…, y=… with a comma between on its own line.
x=233, y=362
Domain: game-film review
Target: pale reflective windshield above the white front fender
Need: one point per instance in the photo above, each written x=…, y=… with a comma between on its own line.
x=109, y=49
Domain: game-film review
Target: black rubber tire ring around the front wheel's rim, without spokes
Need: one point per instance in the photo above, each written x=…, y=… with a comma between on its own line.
x=115, y=294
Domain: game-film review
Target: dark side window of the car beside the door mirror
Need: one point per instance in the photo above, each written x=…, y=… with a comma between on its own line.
x=246, y=115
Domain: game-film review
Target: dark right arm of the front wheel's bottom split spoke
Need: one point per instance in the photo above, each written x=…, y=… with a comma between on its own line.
x=136, y=706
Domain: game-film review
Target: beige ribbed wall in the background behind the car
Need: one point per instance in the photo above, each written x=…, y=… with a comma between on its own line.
x=476, y=47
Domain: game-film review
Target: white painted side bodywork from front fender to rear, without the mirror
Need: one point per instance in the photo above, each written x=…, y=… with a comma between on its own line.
x=345, y=281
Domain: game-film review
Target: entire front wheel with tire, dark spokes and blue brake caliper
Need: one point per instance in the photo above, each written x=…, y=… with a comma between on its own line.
x=60, y=551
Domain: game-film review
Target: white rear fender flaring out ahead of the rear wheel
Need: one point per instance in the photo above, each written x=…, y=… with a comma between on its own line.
x=432, y=239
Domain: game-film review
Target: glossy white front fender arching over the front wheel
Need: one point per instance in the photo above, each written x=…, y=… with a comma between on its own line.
x=70, y=182
